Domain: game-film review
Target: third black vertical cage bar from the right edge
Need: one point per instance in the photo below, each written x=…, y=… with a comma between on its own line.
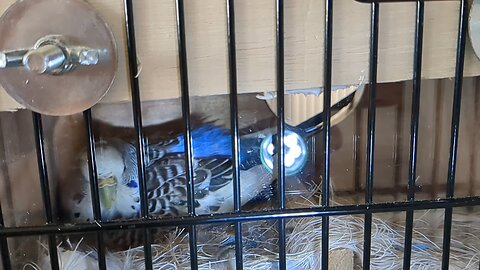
x=371, y=132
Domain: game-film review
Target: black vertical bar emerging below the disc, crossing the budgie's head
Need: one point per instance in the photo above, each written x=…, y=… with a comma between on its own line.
x=92, y=171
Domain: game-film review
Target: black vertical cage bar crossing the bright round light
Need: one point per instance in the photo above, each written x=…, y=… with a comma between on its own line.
x=280, y=67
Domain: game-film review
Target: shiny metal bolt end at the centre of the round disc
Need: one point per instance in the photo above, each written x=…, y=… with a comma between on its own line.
x=45, y=59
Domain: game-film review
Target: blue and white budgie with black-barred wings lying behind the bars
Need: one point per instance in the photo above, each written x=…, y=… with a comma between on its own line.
x=165, y=177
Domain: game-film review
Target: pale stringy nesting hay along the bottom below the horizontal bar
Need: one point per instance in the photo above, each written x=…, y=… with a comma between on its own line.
x=216, y=244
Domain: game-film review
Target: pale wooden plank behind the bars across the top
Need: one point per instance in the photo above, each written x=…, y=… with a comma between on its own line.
x=304, y=22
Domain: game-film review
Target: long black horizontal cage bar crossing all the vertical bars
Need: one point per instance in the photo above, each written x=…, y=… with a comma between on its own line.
x=361, y=209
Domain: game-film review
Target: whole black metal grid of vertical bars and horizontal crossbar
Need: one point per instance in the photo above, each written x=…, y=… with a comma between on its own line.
x=281, y=213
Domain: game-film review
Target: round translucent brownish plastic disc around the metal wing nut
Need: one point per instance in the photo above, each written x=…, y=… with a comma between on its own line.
x=27, y=21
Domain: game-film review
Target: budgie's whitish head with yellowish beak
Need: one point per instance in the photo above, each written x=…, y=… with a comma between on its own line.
x=110, y=167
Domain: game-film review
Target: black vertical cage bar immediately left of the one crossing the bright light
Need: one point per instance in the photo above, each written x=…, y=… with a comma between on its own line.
x=232, y=62
